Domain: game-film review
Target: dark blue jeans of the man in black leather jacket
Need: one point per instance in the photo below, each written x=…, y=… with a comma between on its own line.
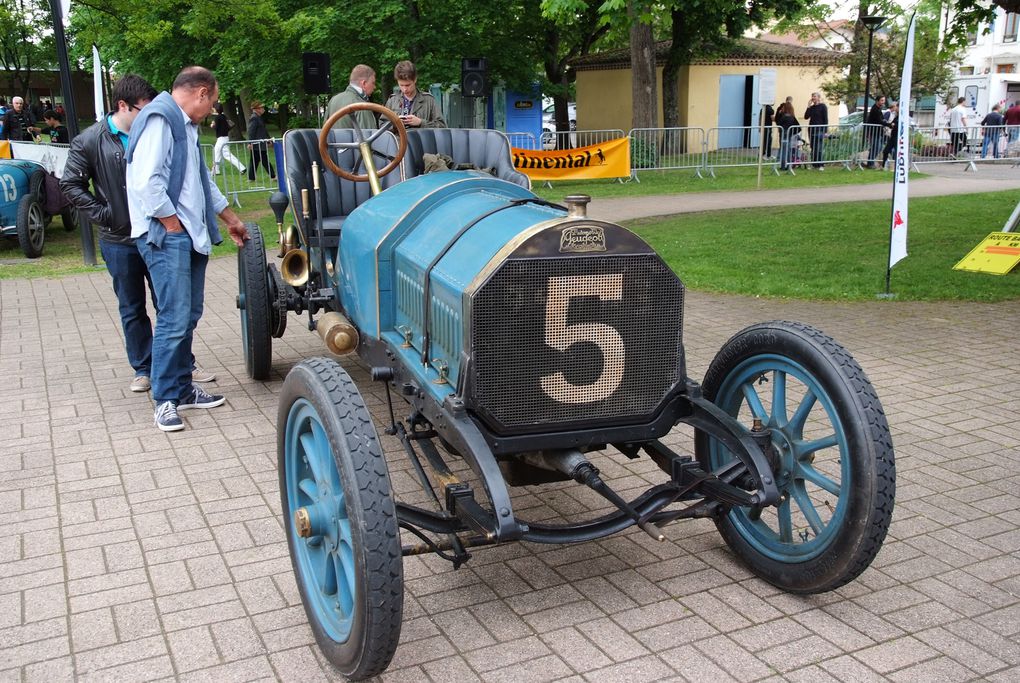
x=130, y=280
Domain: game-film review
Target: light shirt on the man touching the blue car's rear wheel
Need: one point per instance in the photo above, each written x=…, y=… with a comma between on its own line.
x=148, y=178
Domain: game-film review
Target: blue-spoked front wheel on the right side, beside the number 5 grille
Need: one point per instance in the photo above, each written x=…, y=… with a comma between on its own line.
x=832, y=454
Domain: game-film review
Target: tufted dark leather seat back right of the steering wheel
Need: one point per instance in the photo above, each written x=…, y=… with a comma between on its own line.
x=482, y=148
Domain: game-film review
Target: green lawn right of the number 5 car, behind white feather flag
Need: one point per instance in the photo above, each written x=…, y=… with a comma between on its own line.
x=837, y=251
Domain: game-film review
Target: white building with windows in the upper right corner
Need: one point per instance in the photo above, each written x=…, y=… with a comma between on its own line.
x=989, y=74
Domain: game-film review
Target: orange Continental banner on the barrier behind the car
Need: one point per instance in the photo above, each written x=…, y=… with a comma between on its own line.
x=608, y=160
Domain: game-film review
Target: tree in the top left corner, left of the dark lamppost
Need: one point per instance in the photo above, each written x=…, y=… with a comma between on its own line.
x=26, y=41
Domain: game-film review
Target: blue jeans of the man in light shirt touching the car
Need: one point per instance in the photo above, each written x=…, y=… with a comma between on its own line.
x=178, y=274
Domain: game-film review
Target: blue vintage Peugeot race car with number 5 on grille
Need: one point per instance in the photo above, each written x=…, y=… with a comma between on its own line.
x=519, y=344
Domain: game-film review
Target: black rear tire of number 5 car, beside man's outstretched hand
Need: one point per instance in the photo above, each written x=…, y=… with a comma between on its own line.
x=253, y=302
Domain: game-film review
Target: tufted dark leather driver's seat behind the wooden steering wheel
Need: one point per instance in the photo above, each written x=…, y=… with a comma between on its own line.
x=340, y=197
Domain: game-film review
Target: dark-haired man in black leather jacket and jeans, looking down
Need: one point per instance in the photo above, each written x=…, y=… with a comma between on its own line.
x=98, y=155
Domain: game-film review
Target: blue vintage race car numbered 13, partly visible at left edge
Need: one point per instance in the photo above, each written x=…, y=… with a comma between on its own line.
x=25, y=212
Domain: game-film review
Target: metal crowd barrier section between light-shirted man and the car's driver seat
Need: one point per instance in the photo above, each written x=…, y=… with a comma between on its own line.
x=244, y=167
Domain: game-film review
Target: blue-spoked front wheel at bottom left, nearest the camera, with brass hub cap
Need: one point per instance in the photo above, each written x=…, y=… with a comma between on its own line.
x=341, y=519
